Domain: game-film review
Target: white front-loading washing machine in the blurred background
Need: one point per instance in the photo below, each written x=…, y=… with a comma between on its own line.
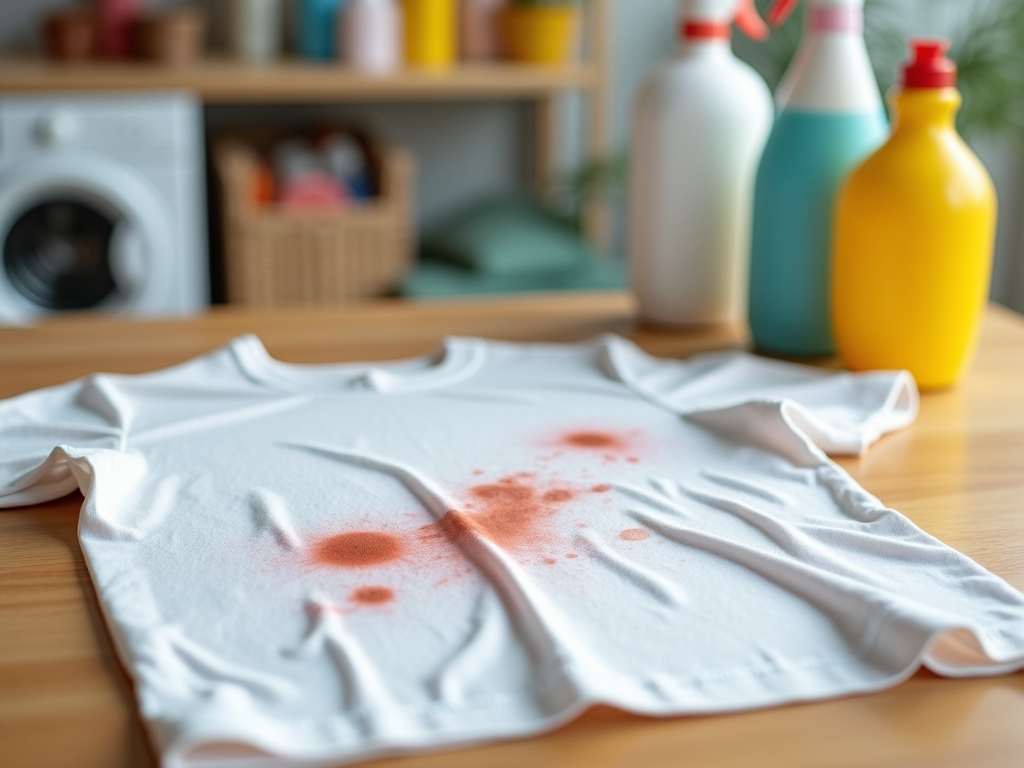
x=103, y=205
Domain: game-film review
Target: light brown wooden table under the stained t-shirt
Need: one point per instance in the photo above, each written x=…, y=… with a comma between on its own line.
x=959, y=474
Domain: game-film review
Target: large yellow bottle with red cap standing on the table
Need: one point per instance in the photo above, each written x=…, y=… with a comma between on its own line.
x=914, y=234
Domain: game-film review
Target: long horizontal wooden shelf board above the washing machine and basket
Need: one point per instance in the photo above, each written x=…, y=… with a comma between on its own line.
x=227, y=81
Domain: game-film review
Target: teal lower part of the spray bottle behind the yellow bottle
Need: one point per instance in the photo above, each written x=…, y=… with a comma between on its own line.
x=807, y=157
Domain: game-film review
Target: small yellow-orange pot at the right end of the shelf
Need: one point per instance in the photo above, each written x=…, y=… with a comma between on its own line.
x=540, y=34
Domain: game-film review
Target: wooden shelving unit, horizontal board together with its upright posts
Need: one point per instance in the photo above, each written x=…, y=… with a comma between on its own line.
x=226, y=81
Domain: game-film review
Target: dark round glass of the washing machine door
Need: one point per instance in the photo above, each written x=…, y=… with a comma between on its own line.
x=58, y=255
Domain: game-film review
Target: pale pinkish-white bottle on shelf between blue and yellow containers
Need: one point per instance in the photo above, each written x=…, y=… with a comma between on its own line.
x=370, y=35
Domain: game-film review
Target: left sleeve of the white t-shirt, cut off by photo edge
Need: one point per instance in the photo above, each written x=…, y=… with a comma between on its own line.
x=38, y=429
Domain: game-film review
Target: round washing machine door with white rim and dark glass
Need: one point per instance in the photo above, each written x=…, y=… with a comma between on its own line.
x=80, y=232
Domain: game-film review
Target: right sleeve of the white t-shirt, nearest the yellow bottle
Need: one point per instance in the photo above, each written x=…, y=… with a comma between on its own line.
x=842, y=413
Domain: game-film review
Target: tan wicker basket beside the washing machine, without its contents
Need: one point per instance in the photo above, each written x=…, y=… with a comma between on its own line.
x=278, y=259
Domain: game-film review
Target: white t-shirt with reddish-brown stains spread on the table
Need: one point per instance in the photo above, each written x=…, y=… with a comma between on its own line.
x=315, y=565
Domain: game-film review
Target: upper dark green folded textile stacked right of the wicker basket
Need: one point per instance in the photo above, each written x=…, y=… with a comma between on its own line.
x=508, y=236
